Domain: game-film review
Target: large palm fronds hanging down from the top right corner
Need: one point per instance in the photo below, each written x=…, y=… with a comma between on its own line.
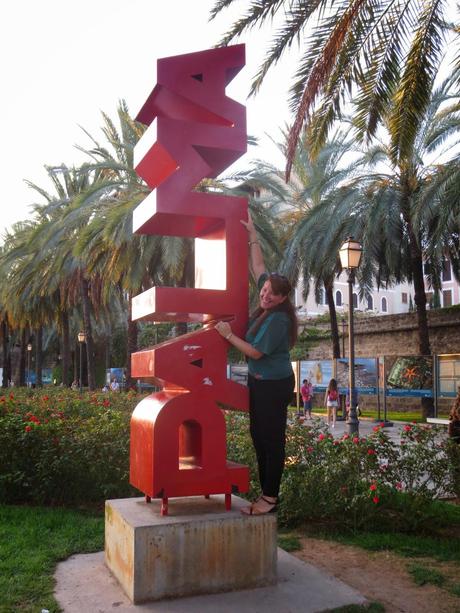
x=388, y=51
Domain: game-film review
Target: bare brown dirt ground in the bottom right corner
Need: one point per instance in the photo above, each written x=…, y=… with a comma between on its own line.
x=382, y=577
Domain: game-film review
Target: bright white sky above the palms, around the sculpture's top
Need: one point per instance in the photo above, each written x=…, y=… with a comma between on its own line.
x=66, y=61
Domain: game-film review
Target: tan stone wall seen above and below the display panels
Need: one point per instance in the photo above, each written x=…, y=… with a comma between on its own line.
x=389, y=335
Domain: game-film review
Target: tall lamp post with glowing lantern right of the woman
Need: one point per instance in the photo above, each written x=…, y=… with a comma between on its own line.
x=350, y=257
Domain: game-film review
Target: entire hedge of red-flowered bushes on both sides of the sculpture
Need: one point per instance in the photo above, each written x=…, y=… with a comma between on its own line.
x=57, y=447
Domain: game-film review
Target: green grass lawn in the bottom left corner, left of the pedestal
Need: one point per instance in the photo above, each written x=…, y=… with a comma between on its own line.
x=32, y=541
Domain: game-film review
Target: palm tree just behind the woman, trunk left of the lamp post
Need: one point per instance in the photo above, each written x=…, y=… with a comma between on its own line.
x=310, y=240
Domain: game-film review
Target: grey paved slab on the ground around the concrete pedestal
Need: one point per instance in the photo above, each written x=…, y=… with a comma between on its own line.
x=83, y=583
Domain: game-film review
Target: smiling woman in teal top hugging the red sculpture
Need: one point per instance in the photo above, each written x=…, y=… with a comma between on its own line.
x=272, y=331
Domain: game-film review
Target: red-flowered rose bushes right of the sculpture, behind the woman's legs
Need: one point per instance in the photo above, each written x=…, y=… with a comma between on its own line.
x=355, y=482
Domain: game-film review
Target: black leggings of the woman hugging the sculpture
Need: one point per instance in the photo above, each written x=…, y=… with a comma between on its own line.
x=268, y=403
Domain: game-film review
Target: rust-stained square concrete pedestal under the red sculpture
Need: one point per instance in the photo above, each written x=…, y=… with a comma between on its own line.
x=198, y=549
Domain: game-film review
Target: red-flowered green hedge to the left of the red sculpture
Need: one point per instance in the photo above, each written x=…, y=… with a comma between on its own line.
x=60, y=448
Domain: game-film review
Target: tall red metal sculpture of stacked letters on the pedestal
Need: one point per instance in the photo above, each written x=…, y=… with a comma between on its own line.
x=178, y=435
